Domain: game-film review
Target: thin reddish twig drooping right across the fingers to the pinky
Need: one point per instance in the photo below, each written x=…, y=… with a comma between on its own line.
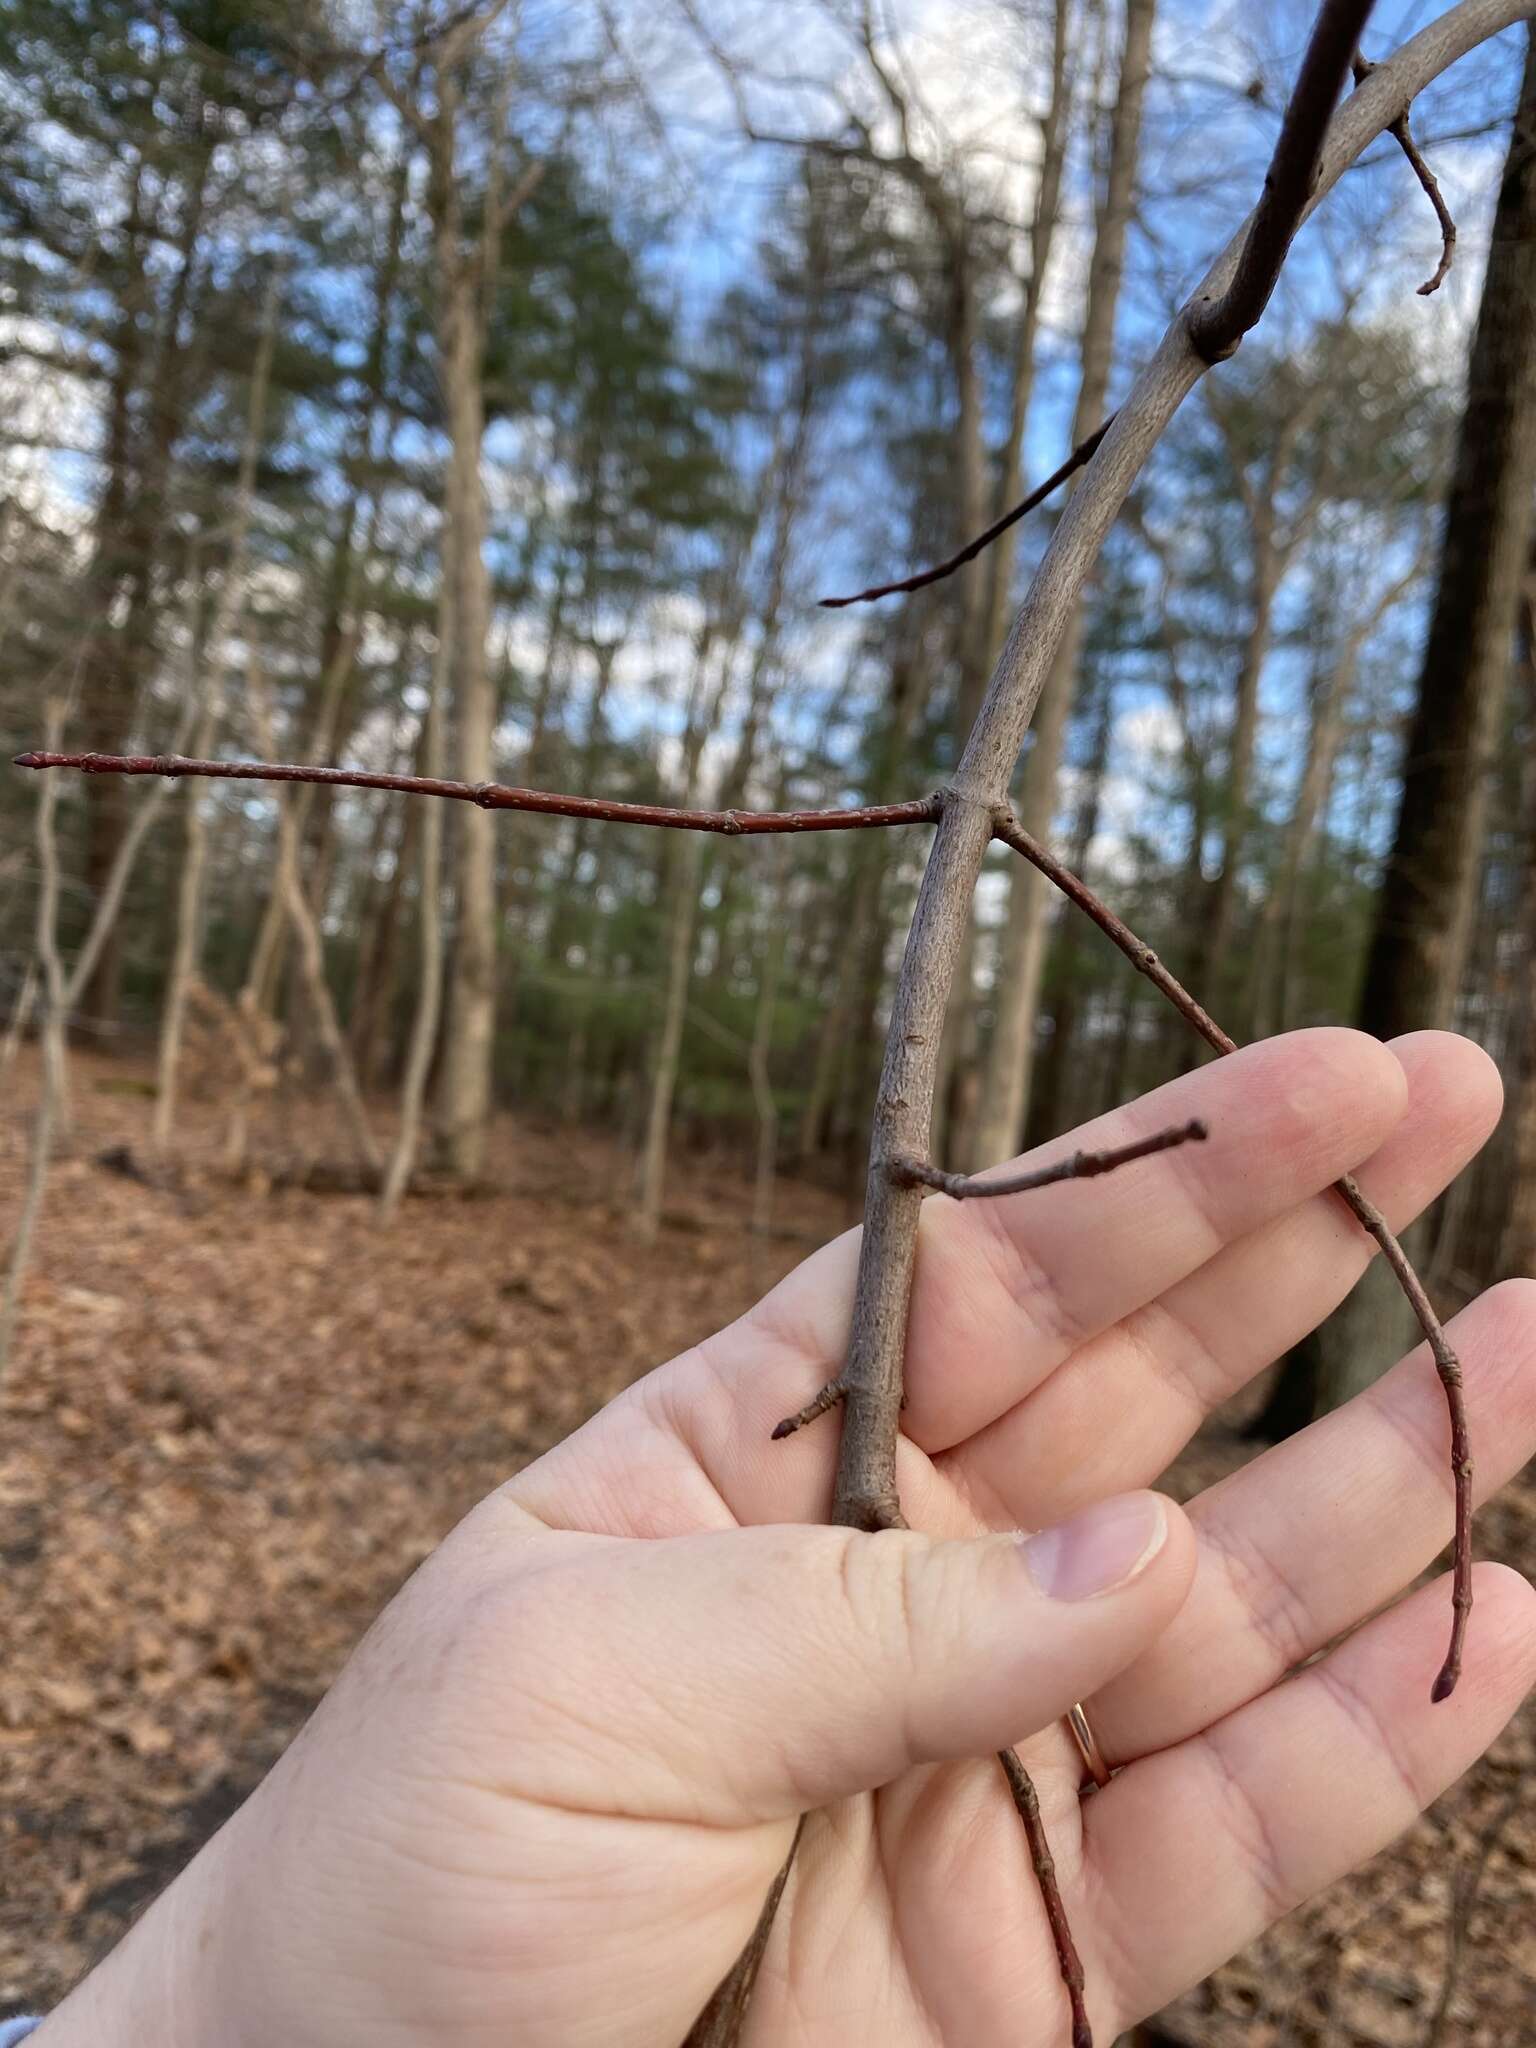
x=1371, y=1220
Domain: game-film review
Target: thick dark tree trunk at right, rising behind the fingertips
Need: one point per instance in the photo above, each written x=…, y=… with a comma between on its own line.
x=1428, y=890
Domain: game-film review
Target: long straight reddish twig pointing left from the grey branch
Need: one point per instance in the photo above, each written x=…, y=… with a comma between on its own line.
x=503, y=798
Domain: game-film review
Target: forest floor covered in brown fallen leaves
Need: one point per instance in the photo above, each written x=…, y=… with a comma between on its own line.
x=237, y=1422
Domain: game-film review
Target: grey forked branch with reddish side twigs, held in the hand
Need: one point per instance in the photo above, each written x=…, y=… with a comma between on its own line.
x=1312, y=153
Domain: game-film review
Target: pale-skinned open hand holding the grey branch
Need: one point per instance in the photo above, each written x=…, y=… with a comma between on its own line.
x=548, y=1795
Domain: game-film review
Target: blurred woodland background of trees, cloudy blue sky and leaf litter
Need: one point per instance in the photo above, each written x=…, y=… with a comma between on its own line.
x=495, y=392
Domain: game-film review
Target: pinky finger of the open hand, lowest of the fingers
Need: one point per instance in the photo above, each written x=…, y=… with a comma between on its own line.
x=1197, y=1850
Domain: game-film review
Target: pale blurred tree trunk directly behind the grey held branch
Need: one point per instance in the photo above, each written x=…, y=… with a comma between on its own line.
x=1021, y=966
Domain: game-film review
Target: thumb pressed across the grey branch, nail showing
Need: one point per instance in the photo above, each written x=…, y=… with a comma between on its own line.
x=773, y=1670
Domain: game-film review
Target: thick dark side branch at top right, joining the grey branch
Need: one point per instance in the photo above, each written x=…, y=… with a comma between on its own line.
x=1218, y=325
